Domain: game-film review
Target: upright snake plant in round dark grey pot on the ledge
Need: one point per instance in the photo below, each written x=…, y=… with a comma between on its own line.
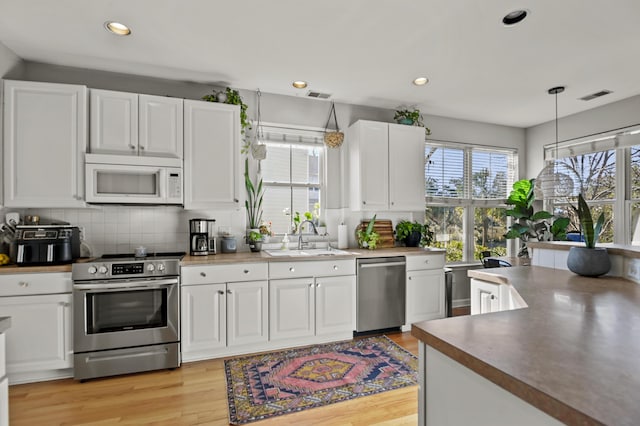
x=590, y=261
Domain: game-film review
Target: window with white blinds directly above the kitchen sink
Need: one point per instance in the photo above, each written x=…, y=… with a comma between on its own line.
x=292, y=175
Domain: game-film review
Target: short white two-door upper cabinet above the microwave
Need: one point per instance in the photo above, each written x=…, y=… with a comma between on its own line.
x=131, y=124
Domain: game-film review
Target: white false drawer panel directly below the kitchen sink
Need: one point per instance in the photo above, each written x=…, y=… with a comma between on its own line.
x=324, y=268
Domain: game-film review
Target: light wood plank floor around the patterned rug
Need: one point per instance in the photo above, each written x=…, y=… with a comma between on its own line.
x=194, y=394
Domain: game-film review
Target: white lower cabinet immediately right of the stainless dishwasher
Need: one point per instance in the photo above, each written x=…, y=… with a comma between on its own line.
x=425, y=295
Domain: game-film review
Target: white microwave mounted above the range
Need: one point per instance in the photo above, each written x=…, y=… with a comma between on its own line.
x=132, y=180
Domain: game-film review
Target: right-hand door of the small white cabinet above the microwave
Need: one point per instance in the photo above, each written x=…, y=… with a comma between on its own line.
x=161, y=126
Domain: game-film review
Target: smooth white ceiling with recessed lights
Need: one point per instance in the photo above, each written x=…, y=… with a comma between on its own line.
x=364, y=52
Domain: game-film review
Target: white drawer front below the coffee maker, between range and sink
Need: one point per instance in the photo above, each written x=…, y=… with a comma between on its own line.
x=224, y=273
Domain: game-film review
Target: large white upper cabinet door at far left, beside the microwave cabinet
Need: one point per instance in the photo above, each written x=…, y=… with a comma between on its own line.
x=44, y=130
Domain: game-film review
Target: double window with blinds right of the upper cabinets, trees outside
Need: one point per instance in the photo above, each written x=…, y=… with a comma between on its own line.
x=465, y=188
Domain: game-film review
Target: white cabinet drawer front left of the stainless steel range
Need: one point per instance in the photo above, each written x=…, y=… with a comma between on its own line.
x=40, y=283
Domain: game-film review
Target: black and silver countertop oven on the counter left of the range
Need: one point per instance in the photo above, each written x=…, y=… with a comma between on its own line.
x=45, y=243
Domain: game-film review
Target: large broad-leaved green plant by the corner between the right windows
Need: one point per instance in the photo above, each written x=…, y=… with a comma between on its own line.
x=529, y=225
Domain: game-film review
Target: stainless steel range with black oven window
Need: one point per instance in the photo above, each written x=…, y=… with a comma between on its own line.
x=126, y=315
